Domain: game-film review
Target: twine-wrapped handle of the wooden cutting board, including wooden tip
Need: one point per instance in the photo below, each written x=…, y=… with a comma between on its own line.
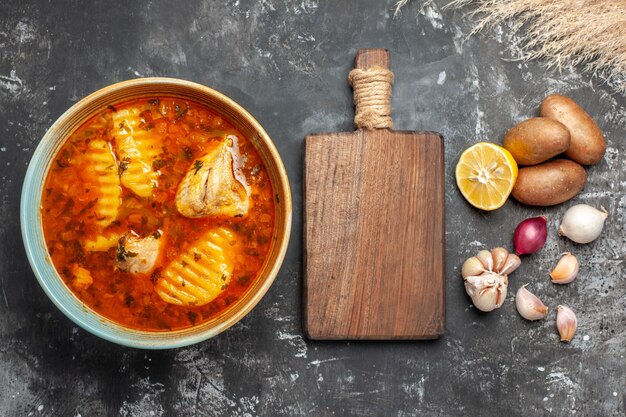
x=371, y=81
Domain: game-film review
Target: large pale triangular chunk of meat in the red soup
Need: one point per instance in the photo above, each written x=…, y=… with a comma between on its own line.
x=212, y=187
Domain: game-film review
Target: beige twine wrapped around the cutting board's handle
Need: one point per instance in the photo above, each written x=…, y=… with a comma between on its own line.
x=372, y=97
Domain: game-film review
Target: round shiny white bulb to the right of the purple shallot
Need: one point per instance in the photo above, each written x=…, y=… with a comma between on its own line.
x=582, y=223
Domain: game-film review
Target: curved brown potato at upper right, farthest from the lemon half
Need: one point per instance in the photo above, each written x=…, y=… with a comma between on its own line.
x=587, y=145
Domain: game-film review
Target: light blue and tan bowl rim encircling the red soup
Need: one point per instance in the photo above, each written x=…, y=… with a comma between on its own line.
x=53, y=285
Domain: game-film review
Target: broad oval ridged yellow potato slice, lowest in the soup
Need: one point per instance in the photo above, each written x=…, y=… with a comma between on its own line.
x=202, y=272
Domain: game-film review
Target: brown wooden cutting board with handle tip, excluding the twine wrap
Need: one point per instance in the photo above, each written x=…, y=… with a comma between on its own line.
x=374, y=231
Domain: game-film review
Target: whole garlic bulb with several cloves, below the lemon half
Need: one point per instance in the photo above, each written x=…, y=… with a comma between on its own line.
x=486, y=277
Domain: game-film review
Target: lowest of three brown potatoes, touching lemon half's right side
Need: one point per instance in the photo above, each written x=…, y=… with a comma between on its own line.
x=549, y=183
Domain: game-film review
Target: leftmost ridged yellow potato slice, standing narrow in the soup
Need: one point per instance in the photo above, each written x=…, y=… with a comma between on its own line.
x=103, y=169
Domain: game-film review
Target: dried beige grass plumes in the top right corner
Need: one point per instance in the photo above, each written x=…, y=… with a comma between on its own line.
x=563, y=32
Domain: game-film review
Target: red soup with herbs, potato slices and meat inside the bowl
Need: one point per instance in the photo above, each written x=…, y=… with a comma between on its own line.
x=112, y=205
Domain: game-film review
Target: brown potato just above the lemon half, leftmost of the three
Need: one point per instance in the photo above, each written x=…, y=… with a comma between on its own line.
x=536, y=140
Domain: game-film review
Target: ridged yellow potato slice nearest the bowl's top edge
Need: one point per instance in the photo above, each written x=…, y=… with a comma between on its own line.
x=136, y=150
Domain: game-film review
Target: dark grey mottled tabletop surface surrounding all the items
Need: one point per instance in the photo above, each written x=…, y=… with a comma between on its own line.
x=287, y=62
